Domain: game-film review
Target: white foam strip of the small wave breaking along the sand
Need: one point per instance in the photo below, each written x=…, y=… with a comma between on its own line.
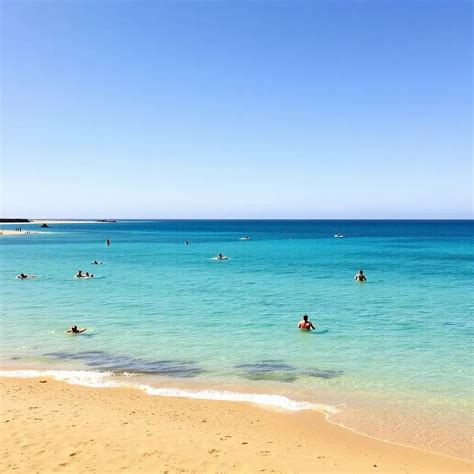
x=104, y=379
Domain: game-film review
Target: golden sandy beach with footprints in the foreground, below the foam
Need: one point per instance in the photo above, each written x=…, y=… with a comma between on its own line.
x=50, y=426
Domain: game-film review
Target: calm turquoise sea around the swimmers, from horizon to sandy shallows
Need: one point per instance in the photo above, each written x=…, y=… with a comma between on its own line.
x=397, y=348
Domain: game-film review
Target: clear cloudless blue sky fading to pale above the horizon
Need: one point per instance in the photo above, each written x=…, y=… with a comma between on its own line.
x=250, y=109
